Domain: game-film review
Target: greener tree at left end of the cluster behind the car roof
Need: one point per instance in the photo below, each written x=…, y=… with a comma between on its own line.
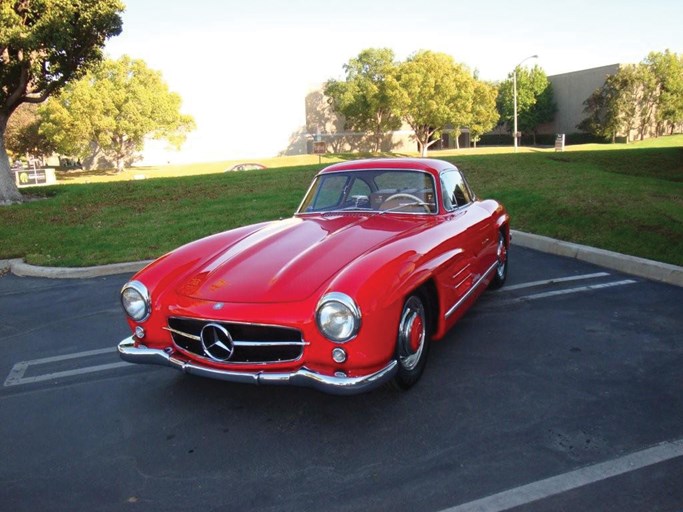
x=365, y=97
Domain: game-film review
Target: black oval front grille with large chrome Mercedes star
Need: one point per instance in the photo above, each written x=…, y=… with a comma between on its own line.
x=253, y=344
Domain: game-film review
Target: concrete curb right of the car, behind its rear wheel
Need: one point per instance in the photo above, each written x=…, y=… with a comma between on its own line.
x=633, y=265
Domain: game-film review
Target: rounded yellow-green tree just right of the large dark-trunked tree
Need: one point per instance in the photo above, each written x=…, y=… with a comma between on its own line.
x=112, y=110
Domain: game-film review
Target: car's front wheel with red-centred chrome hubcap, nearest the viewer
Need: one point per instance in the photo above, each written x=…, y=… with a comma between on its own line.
x=412, y=343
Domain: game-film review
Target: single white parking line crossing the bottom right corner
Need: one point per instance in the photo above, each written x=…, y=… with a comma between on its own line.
x=574, y=479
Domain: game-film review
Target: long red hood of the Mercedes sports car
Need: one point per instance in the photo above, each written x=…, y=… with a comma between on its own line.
x=288, y=260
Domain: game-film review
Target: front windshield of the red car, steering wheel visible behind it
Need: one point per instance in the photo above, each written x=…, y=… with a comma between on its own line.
x=382, y=191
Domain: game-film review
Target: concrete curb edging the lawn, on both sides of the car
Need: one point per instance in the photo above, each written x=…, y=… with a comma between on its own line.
x=640, y=267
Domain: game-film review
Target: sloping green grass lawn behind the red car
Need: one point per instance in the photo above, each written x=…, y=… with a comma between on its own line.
x=625, y=198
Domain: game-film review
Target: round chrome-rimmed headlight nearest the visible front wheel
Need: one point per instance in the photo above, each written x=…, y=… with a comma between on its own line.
x=338, y=317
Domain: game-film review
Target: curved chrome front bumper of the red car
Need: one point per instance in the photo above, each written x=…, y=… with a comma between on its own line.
x=302, y=377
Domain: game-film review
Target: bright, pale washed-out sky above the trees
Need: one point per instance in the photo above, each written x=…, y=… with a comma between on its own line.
x=243, y=69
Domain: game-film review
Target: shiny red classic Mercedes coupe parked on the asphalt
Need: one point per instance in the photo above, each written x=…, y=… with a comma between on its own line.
x=381, y=257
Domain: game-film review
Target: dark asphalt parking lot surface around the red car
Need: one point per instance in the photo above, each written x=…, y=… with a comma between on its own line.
x=562, y=391
